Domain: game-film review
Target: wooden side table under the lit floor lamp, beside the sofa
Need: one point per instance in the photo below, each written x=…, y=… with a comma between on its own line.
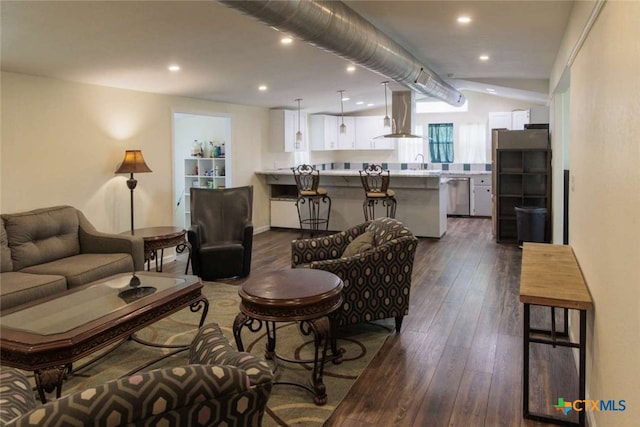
x=159, y=238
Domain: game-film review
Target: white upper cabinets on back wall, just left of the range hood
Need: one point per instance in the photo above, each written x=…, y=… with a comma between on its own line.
x=361, y=134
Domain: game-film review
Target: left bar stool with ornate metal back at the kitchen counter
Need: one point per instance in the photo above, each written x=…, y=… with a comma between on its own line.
x=313, y=203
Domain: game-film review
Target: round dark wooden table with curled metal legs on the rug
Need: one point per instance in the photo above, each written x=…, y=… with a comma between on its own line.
x=305, y=295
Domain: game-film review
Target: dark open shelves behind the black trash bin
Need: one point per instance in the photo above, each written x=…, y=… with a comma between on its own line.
x=523, y=179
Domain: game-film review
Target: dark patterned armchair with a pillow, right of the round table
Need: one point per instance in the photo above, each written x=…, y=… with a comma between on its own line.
x=375, y=262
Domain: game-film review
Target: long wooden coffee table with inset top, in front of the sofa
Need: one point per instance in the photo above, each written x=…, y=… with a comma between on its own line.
x=48, y=335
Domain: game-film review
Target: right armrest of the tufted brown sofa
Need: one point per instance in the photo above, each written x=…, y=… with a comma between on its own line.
x=93, y=241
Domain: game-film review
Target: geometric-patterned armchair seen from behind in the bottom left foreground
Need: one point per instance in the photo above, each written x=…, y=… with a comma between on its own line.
x=220, y=387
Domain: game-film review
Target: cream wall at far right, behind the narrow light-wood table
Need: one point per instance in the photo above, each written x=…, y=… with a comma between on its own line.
x=604, y=225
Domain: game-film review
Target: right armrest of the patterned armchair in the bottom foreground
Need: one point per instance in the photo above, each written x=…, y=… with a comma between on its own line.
x=211, y=347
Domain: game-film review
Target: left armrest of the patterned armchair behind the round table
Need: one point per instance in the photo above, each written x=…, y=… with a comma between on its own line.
x=304, y=251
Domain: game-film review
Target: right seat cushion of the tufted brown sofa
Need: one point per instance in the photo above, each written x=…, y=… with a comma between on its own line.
x=85, y=268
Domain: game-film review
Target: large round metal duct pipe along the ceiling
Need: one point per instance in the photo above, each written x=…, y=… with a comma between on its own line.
x=334, y=26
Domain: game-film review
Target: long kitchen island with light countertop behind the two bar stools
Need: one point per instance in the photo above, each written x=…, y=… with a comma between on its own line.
x=421, y=195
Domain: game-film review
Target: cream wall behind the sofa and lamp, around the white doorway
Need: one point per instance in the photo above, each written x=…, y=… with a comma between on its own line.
x=62, y=142
